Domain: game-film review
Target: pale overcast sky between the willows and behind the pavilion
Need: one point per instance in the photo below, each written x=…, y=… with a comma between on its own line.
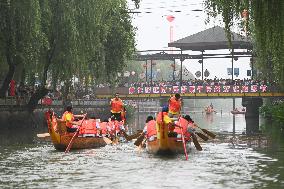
x=153, y=31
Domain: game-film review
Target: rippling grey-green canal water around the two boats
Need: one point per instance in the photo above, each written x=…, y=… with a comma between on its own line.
x=232, y=160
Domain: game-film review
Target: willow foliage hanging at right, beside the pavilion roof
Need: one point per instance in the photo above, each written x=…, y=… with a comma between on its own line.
x=266, y=27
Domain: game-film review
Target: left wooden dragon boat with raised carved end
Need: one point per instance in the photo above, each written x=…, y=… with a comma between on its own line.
x=88, y=137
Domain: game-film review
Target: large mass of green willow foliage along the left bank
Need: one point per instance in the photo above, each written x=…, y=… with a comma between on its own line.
x=63, y=39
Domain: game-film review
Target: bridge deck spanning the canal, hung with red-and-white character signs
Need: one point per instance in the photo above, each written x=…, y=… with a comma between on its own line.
x=190, y=92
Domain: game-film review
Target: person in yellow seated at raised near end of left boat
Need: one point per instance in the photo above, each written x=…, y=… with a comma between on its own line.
x=69, y=118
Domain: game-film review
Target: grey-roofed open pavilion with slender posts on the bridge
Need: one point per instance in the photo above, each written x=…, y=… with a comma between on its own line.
x=214, y=38
